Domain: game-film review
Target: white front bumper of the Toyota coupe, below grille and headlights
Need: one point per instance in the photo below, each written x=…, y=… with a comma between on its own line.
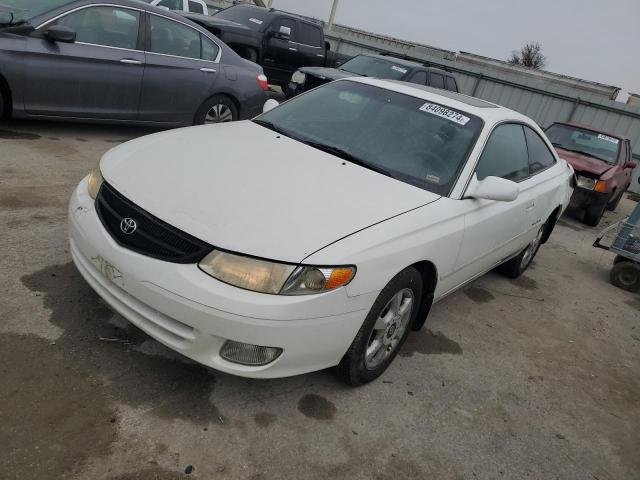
x=194, y=314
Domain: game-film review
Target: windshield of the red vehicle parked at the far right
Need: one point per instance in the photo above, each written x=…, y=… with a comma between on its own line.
x=594, y=144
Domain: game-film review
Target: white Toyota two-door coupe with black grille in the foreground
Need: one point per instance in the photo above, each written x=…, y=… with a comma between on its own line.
x=320, y=233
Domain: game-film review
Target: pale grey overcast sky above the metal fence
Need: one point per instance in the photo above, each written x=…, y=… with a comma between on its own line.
x=595, y=40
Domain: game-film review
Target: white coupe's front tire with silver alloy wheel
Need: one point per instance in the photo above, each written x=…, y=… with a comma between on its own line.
x=384, y=331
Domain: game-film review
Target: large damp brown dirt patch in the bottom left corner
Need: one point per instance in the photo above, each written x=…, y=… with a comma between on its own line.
x=53, y=416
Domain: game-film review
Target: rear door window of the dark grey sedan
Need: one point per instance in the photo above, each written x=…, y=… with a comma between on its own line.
x=173, y=38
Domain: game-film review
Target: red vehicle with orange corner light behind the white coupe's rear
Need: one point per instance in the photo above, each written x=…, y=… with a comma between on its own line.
x=602, y=162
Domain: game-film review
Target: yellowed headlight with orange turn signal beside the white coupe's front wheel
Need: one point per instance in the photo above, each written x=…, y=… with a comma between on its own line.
x=272, y=277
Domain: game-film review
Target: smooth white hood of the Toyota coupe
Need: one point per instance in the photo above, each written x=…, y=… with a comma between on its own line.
x=242, y=187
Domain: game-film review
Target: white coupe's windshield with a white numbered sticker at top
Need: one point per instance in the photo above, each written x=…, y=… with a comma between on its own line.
x=418, y=142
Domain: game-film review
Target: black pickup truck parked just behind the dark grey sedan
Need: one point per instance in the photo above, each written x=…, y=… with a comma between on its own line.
x=280, y=42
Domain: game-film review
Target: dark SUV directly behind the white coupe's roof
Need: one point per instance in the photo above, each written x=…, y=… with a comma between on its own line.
x=378, y=66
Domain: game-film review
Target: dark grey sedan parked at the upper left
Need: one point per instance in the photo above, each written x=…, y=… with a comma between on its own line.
x=121, y=61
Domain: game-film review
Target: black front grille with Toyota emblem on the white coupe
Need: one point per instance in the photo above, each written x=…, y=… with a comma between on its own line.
x=152, y=237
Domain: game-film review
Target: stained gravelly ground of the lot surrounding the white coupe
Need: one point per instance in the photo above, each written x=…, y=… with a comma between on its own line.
x=534, y=378
